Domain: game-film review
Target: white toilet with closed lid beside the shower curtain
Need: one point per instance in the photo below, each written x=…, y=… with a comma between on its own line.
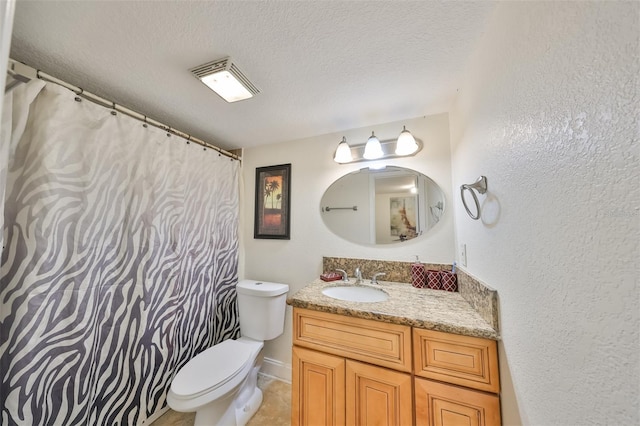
x=220, y=383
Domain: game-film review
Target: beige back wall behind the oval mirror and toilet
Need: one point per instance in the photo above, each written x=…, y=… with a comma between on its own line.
x=298, y=261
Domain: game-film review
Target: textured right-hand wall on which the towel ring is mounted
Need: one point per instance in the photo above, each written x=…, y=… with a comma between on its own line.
x=549, y=113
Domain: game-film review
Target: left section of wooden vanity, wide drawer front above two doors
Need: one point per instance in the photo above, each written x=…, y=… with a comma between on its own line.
x=331, y=383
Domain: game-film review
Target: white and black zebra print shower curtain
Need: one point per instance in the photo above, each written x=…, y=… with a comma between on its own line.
x=119, y=260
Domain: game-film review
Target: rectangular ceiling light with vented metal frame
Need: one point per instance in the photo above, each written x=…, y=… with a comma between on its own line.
x=223, y=77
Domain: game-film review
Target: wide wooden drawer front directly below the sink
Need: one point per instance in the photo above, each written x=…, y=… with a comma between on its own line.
x=387, y=345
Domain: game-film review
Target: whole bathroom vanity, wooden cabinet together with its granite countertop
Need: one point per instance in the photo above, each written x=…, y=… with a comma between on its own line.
x=422, y=357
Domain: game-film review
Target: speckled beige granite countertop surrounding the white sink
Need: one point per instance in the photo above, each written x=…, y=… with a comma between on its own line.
x=418, y=307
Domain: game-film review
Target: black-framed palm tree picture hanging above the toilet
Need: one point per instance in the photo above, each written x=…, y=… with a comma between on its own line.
x=272, y=217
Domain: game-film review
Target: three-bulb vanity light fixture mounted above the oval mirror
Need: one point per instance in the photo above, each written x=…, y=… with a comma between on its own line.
x=374, y=149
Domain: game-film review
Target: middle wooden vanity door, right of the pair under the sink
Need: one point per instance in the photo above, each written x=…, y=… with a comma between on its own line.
x=377, y=396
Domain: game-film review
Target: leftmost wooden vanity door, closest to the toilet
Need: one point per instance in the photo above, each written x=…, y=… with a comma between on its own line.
x=317, y=390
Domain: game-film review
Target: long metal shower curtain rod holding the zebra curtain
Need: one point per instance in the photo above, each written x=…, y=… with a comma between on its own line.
x=22, y=73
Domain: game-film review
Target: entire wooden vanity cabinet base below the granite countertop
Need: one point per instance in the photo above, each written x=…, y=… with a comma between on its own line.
x=356, y=371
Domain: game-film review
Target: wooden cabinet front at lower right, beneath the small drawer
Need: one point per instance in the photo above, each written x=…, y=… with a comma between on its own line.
x=439, y=404
